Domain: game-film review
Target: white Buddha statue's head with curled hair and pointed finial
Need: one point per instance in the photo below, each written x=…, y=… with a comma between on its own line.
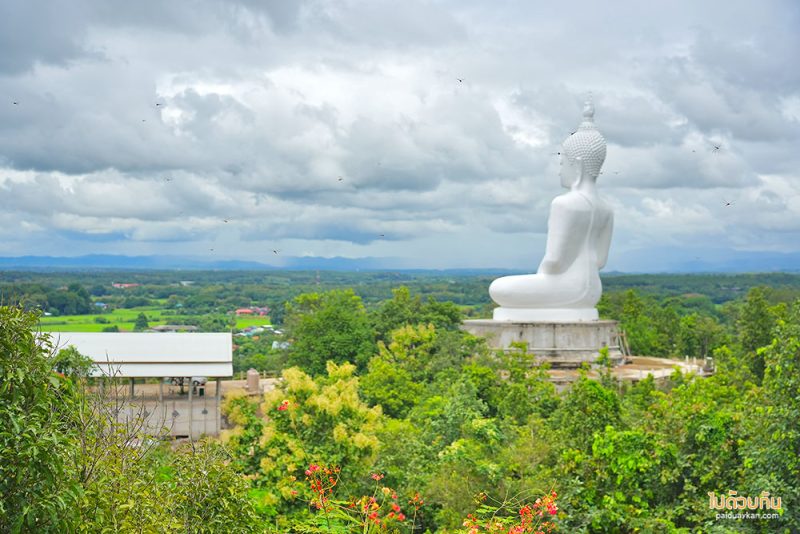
x=583, y=152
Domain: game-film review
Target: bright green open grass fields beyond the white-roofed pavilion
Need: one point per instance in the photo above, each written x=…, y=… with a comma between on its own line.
x=125, y=319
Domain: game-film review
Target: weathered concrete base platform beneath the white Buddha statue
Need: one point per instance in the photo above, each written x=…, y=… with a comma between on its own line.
x=562, y=344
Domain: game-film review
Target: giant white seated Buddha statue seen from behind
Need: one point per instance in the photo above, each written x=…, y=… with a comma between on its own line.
x=567, y=285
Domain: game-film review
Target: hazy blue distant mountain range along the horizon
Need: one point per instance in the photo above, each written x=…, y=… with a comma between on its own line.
x=638, y=261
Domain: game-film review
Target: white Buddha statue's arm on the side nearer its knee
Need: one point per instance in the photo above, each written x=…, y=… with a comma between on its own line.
x=565, y=237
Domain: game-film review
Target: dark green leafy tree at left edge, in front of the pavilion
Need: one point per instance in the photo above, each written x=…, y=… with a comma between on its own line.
x=37, y=483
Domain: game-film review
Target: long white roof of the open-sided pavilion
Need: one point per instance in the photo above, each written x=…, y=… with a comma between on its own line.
x=153, y=354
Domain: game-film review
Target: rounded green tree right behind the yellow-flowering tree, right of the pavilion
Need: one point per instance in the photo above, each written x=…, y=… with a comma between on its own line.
x=330, y=326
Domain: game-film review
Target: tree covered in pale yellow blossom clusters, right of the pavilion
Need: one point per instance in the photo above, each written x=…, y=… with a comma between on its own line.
x=305, y=421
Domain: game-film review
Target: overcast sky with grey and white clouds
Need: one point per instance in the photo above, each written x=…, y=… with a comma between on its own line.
x=421, y=131
